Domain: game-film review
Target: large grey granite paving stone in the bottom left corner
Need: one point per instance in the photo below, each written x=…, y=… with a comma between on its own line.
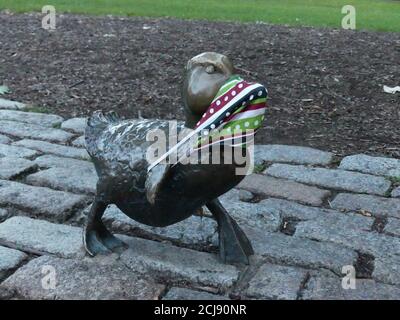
x=106, y=279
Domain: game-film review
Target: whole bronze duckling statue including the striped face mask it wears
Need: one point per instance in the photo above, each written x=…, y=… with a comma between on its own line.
x=160, y=194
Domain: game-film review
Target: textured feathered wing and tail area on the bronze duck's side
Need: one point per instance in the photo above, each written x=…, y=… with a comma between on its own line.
x=119, y=148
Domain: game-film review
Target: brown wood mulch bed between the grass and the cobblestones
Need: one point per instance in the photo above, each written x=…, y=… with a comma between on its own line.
x=326, y=86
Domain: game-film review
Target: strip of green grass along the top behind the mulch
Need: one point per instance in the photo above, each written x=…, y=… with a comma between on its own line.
x=380, y=15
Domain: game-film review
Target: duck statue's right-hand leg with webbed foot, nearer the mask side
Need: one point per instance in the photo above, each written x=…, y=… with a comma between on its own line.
x=234, y=245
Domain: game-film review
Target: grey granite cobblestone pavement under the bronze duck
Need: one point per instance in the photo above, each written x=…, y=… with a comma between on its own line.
x=307, y=212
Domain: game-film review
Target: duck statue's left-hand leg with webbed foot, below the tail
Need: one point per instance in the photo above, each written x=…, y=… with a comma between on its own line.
x=96, y=238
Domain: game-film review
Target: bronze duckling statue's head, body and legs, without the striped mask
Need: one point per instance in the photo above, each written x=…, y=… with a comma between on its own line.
x=174, y=192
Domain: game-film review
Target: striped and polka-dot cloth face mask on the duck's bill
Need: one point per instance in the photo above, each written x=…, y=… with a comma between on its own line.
x=234, y=116
